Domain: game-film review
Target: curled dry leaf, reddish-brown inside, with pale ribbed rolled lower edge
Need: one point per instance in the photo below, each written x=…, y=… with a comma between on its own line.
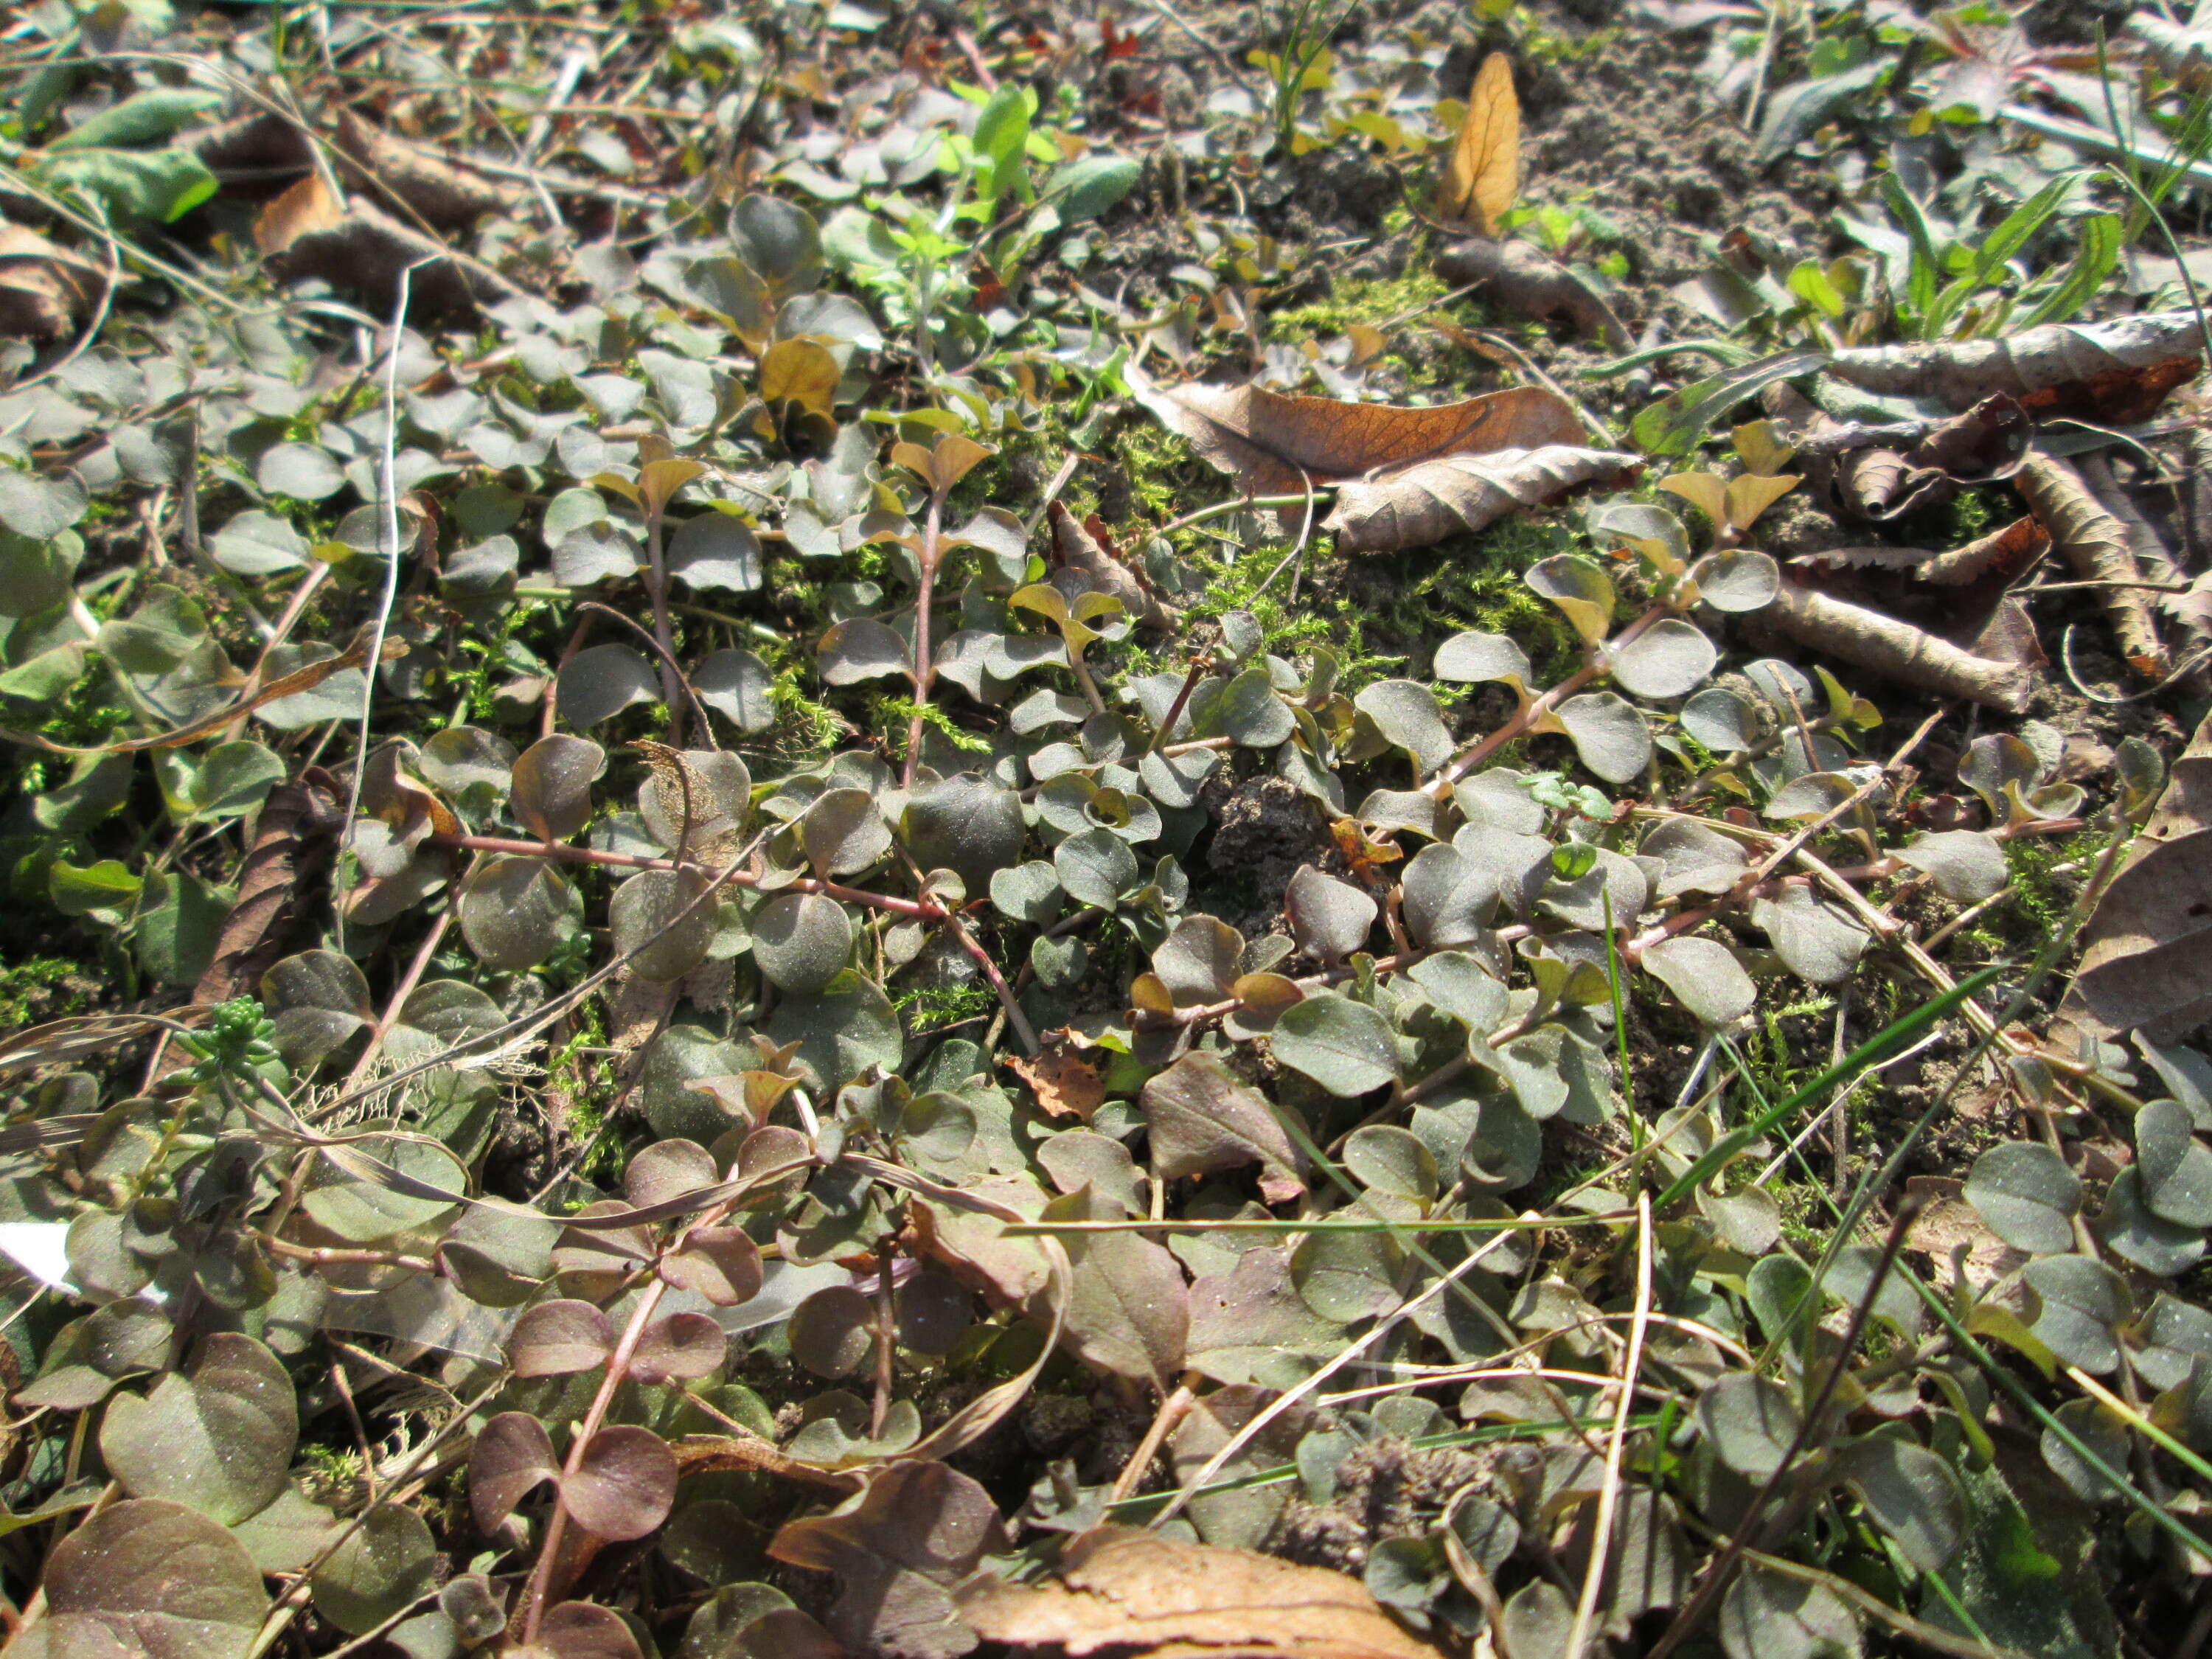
x=1404, y=474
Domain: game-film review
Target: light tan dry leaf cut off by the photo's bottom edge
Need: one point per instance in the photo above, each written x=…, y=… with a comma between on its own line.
x=1158, y=1596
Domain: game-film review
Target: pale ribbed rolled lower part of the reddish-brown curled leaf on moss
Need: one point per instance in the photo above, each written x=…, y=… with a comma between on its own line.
x=1437, y=499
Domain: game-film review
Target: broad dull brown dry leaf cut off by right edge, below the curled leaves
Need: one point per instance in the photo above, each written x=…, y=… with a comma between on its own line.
x=2147, y=952
